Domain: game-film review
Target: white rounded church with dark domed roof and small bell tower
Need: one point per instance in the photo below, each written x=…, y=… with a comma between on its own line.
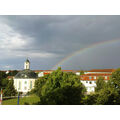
x=24, y=80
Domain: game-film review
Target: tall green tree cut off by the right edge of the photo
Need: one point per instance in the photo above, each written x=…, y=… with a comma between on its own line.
x=110, y=93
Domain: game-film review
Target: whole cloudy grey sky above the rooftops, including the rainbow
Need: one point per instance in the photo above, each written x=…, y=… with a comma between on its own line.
x=48, y=40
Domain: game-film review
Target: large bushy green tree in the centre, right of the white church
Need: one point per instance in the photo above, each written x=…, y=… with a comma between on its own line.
x=61, y=88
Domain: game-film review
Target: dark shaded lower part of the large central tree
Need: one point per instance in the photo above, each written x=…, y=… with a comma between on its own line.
x=63, y=96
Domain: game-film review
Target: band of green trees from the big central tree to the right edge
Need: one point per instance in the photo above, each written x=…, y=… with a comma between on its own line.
x=60, y=88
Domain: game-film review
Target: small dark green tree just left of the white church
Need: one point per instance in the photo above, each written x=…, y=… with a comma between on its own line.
x=10, y=90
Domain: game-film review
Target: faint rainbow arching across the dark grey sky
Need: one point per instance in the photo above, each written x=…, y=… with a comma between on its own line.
x=82, y=50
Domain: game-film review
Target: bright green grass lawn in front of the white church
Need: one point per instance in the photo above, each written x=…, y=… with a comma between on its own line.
x=31, y=99
